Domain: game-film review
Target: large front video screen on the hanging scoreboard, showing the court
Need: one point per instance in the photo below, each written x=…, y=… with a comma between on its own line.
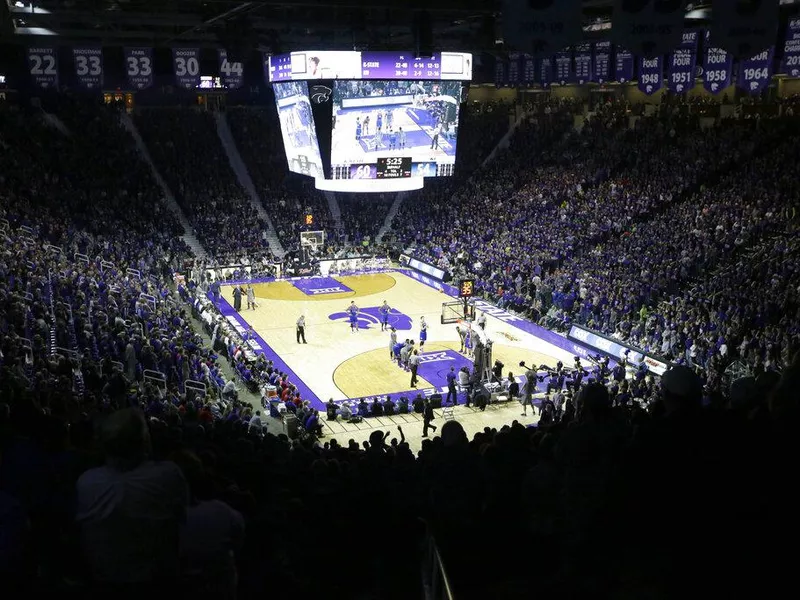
x=415, y=119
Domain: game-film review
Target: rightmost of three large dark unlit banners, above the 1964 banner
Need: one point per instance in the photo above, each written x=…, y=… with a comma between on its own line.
x=744, y=29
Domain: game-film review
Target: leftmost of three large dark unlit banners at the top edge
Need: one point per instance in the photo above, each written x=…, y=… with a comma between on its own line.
x=541, y=28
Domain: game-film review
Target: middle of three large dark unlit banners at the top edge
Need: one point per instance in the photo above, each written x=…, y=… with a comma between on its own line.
x=648, y=28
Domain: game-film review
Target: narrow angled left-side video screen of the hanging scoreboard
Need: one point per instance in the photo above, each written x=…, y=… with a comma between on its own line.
x=297, y=128
